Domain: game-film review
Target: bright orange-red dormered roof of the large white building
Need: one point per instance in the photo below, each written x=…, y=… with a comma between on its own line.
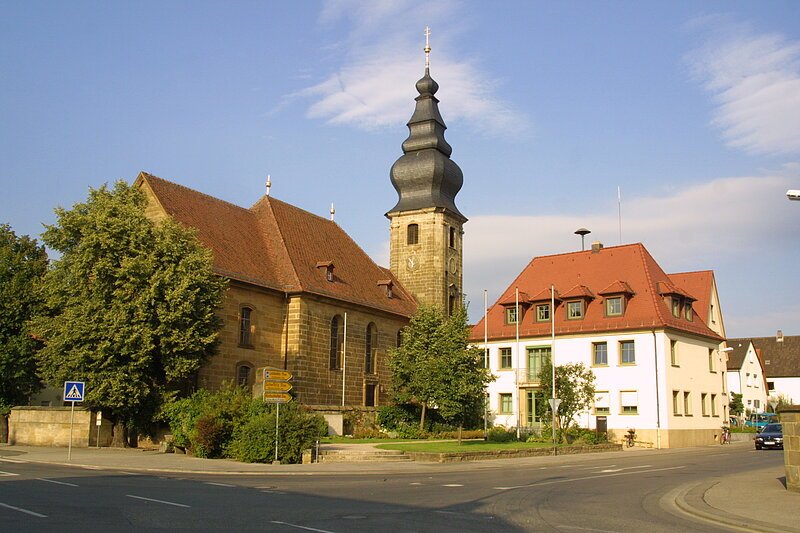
x=580, y=274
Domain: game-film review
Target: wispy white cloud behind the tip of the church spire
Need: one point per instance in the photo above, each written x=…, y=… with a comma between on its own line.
x=382, y=58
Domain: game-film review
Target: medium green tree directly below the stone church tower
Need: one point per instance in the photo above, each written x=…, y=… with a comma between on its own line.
x=436, y=366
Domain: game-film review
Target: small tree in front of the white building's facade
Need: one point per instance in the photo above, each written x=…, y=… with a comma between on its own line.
x=574, y=387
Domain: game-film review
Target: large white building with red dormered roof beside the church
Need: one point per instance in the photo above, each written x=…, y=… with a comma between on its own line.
x=652, y=340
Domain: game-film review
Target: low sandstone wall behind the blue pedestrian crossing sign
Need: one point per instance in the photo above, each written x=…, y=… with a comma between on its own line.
x=50, y=426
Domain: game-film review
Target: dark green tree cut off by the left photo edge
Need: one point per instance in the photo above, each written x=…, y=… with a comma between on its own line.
x=22, y=264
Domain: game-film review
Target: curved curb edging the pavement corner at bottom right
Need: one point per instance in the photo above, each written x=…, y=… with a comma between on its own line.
x=690, y=500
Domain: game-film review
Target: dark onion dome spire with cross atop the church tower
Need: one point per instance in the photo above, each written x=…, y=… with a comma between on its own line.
x=425, y=176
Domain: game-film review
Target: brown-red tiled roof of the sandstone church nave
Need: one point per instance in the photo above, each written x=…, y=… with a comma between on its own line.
x=279, y=246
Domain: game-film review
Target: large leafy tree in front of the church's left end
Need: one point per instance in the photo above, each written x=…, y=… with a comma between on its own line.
x=129, y=307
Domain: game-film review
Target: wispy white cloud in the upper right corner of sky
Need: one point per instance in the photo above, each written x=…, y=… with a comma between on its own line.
x=755, y=81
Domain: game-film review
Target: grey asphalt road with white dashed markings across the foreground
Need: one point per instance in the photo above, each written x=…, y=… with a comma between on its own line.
x=620, y=491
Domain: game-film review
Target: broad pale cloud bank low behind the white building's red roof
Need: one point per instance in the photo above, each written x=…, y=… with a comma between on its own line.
x=714, y=225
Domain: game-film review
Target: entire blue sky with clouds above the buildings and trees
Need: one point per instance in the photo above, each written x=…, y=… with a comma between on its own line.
x=675, y=124
